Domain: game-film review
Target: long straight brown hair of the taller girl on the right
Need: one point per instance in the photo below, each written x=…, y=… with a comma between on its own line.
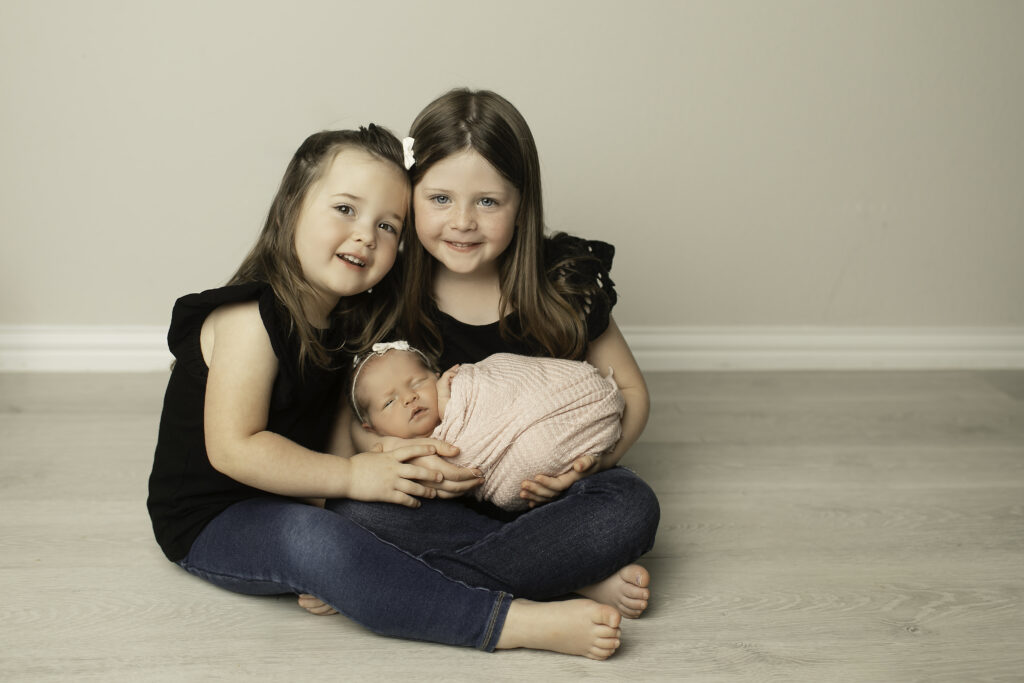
x=488, y=123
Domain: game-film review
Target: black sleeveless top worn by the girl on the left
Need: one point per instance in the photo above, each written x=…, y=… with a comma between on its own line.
x=186, y=492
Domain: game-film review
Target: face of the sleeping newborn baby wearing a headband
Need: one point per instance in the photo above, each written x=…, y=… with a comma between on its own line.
x=400, y=395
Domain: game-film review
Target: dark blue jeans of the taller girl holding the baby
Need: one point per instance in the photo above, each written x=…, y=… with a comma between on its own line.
x=601, y=525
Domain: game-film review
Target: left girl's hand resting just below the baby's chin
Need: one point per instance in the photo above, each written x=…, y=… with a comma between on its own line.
x=390, y=478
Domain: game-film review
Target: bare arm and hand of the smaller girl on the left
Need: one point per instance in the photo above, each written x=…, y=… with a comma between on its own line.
x=243, y=369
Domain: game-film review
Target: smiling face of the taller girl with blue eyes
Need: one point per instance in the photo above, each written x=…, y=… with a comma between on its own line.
x=465, y=214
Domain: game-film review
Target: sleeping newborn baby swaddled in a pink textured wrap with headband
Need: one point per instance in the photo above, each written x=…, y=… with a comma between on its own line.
x=511, y=416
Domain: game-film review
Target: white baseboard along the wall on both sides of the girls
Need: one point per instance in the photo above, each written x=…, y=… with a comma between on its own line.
x=144, y=349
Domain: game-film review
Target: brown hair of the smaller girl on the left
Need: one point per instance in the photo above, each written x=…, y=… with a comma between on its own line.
x=274, y=260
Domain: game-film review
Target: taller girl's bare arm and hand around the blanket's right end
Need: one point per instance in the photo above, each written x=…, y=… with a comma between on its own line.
x=609, y=351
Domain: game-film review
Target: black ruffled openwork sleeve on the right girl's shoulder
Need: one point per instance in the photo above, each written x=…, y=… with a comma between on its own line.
x=581, y=271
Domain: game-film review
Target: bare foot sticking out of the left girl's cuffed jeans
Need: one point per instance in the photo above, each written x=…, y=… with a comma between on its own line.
x=572, y=627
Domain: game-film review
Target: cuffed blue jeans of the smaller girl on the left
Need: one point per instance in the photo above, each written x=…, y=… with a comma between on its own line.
x=270, y=546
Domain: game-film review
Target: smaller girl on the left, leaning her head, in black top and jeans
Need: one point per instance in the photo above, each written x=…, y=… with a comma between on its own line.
x=250, y=407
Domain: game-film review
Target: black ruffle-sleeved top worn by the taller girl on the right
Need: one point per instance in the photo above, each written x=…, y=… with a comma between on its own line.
x=585, y=264
